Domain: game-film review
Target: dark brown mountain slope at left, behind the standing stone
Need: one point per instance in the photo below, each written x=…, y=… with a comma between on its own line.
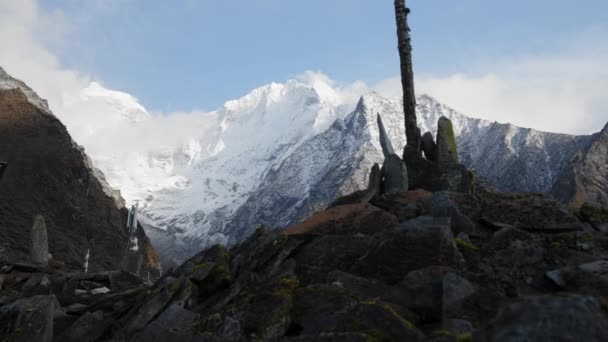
x=49, y=175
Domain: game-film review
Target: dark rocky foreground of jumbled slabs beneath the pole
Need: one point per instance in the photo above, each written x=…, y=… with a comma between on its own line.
x=412, y=266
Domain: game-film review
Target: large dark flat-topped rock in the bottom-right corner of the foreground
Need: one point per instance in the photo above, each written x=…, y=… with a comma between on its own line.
x=549, y=318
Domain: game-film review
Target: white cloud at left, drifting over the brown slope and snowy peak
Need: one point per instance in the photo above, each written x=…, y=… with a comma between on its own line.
x=27, y=32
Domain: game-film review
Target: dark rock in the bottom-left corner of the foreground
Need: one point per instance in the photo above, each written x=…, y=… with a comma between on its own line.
x=29, y=319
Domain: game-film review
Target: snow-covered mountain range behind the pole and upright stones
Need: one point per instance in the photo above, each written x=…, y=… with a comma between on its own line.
x=279, y=154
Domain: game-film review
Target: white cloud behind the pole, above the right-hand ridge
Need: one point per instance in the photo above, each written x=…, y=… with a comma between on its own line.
x=562, y=91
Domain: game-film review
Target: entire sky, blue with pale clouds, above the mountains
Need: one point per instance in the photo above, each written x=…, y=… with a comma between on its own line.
x=539, y=63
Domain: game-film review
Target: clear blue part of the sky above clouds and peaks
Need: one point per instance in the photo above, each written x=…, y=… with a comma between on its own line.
x=197, y=54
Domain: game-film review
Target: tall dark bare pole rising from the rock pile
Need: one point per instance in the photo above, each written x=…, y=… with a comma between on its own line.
x=407, y=79
